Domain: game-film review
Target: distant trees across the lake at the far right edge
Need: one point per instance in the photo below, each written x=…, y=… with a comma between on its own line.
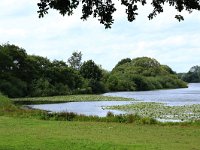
x=192, y=76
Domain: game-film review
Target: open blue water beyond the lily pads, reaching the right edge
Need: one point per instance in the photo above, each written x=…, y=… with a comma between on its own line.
x=174, y=97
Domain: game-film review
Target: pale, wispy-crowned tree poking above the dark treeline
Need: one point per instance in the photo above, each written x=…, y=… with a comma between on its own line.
x=75, y=60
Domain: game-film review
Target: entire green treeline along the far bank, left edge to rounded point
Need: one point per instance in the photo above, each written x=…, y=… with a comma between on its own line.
x=23, y=75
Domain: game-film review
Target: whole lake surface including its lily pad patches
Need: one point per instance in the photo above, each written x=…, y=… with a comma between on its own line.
x=169, y=105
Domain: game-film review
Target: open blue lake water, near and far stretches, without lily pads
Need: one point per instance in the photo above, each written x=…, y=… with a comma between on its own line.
x=173, y=97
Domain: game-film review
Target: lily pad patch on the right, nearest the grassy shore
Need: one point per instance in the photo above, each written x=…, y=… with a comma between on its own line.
x=161, y=111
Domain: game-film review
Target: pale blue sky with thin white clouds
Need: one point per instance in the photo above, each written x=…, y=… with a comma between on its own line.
x=172, y=43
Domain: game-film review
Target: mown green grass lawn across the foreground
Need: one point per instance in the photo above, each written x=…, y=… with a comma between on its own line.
x=32, y=134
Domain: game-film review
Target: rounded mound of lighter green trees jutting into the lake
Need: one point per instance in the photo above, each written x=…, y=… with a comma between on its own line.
x=143, y=74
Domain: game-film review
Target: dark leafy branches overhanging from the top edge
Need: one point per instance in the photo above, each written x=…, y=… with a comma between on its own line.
x=104, y=9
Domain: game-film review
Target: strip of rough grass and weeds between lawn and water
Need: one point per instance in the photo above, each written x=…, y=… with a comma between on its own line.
x=7, y=108
